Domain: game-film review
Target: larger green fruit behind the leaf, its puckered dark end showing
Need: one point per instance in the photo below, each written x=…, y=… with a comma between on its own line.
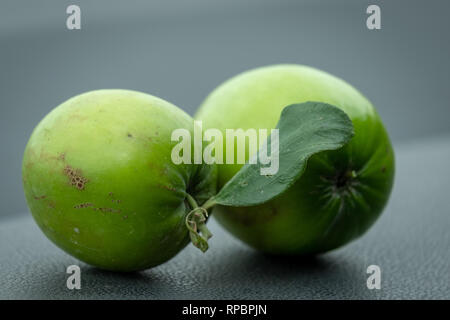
x=341, y=193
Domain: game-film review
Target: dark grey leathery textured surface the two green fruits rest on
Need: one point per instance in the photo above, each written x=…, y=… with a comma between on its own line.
x=410, y=243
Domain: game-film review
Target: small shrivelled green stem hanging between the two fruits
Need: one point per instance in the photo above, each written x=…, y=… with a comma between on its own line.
x=196, y=224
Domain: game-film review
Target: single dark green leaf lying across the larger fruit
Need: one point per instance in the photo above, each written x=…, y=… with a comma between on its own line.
x=304, y=130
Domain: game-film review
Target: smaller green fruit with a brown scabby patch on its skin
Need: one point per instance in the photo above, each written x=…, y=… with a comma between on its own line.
x=100, y=183
